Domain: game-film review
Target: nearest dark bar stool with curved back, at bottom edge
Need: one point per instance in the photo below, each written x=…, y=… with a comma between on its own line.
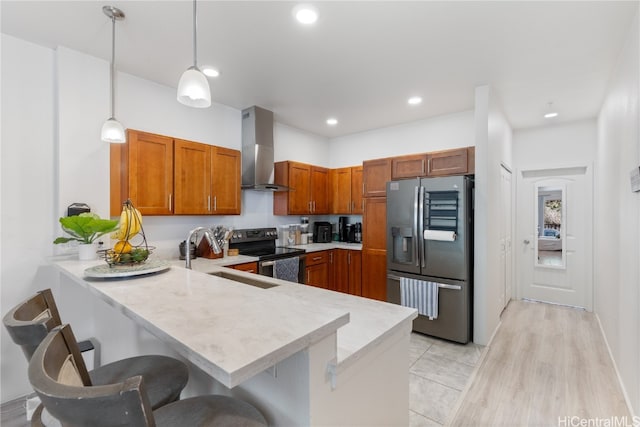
x=58, y=375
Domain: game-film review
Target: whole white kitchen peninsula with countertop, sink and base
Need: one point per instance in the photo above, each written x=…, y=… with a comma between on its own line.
x=302, y=355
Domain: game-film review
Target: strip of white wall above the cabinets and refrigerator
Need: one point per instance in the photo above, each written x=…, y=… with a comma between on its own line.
x=437, y=133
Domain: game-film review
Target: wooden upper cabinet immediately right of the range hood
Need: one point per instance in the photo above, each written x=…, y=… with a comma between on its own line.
x=309, y=189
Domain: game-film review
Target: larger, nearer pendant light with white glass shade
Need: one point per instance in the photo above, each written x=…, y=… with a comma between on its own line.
x=193, y=88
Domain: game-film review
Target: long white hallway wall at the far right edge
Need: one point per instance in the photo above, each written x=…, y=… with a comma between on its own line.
x=617, y=218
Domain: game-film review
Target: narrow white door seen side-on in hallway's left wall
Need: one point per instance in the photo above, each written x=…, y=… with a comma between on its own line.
x=506, y=261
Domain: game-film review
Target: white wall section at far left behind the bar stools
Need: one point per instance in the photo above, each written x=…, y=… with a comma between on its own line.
x=27, y=172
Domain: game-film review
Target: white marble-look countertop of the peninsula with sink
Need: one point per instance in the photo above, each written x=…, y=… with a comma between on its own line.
x=234, y=331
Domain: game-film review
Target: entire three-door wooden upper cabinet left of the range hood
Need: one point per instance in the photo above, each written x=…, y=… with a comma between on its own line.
x=163, y=175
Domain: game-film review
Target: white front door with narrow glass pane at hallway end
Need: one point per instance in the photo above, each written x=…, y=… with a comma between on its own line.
x=554, y=235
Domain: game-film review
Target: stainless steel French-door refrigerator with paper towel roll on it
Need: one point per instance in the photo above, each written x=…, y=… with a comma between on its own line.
x=430, y=238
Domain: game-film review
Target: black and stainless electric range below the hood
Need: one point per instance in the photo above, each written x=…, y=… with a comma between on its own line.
x=261, y=243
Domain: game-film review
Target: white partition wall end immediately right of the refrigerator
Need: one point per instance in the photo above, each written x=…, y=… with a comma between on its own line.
x=493, y=137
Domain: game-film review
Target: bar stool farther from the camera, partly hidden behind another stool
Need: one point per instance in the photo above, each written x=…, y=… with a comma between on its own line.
x=30, y=321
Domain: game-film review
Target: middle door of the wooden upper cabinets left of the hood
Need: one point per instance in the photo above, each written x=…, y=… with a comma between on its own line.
x=192, y=178
